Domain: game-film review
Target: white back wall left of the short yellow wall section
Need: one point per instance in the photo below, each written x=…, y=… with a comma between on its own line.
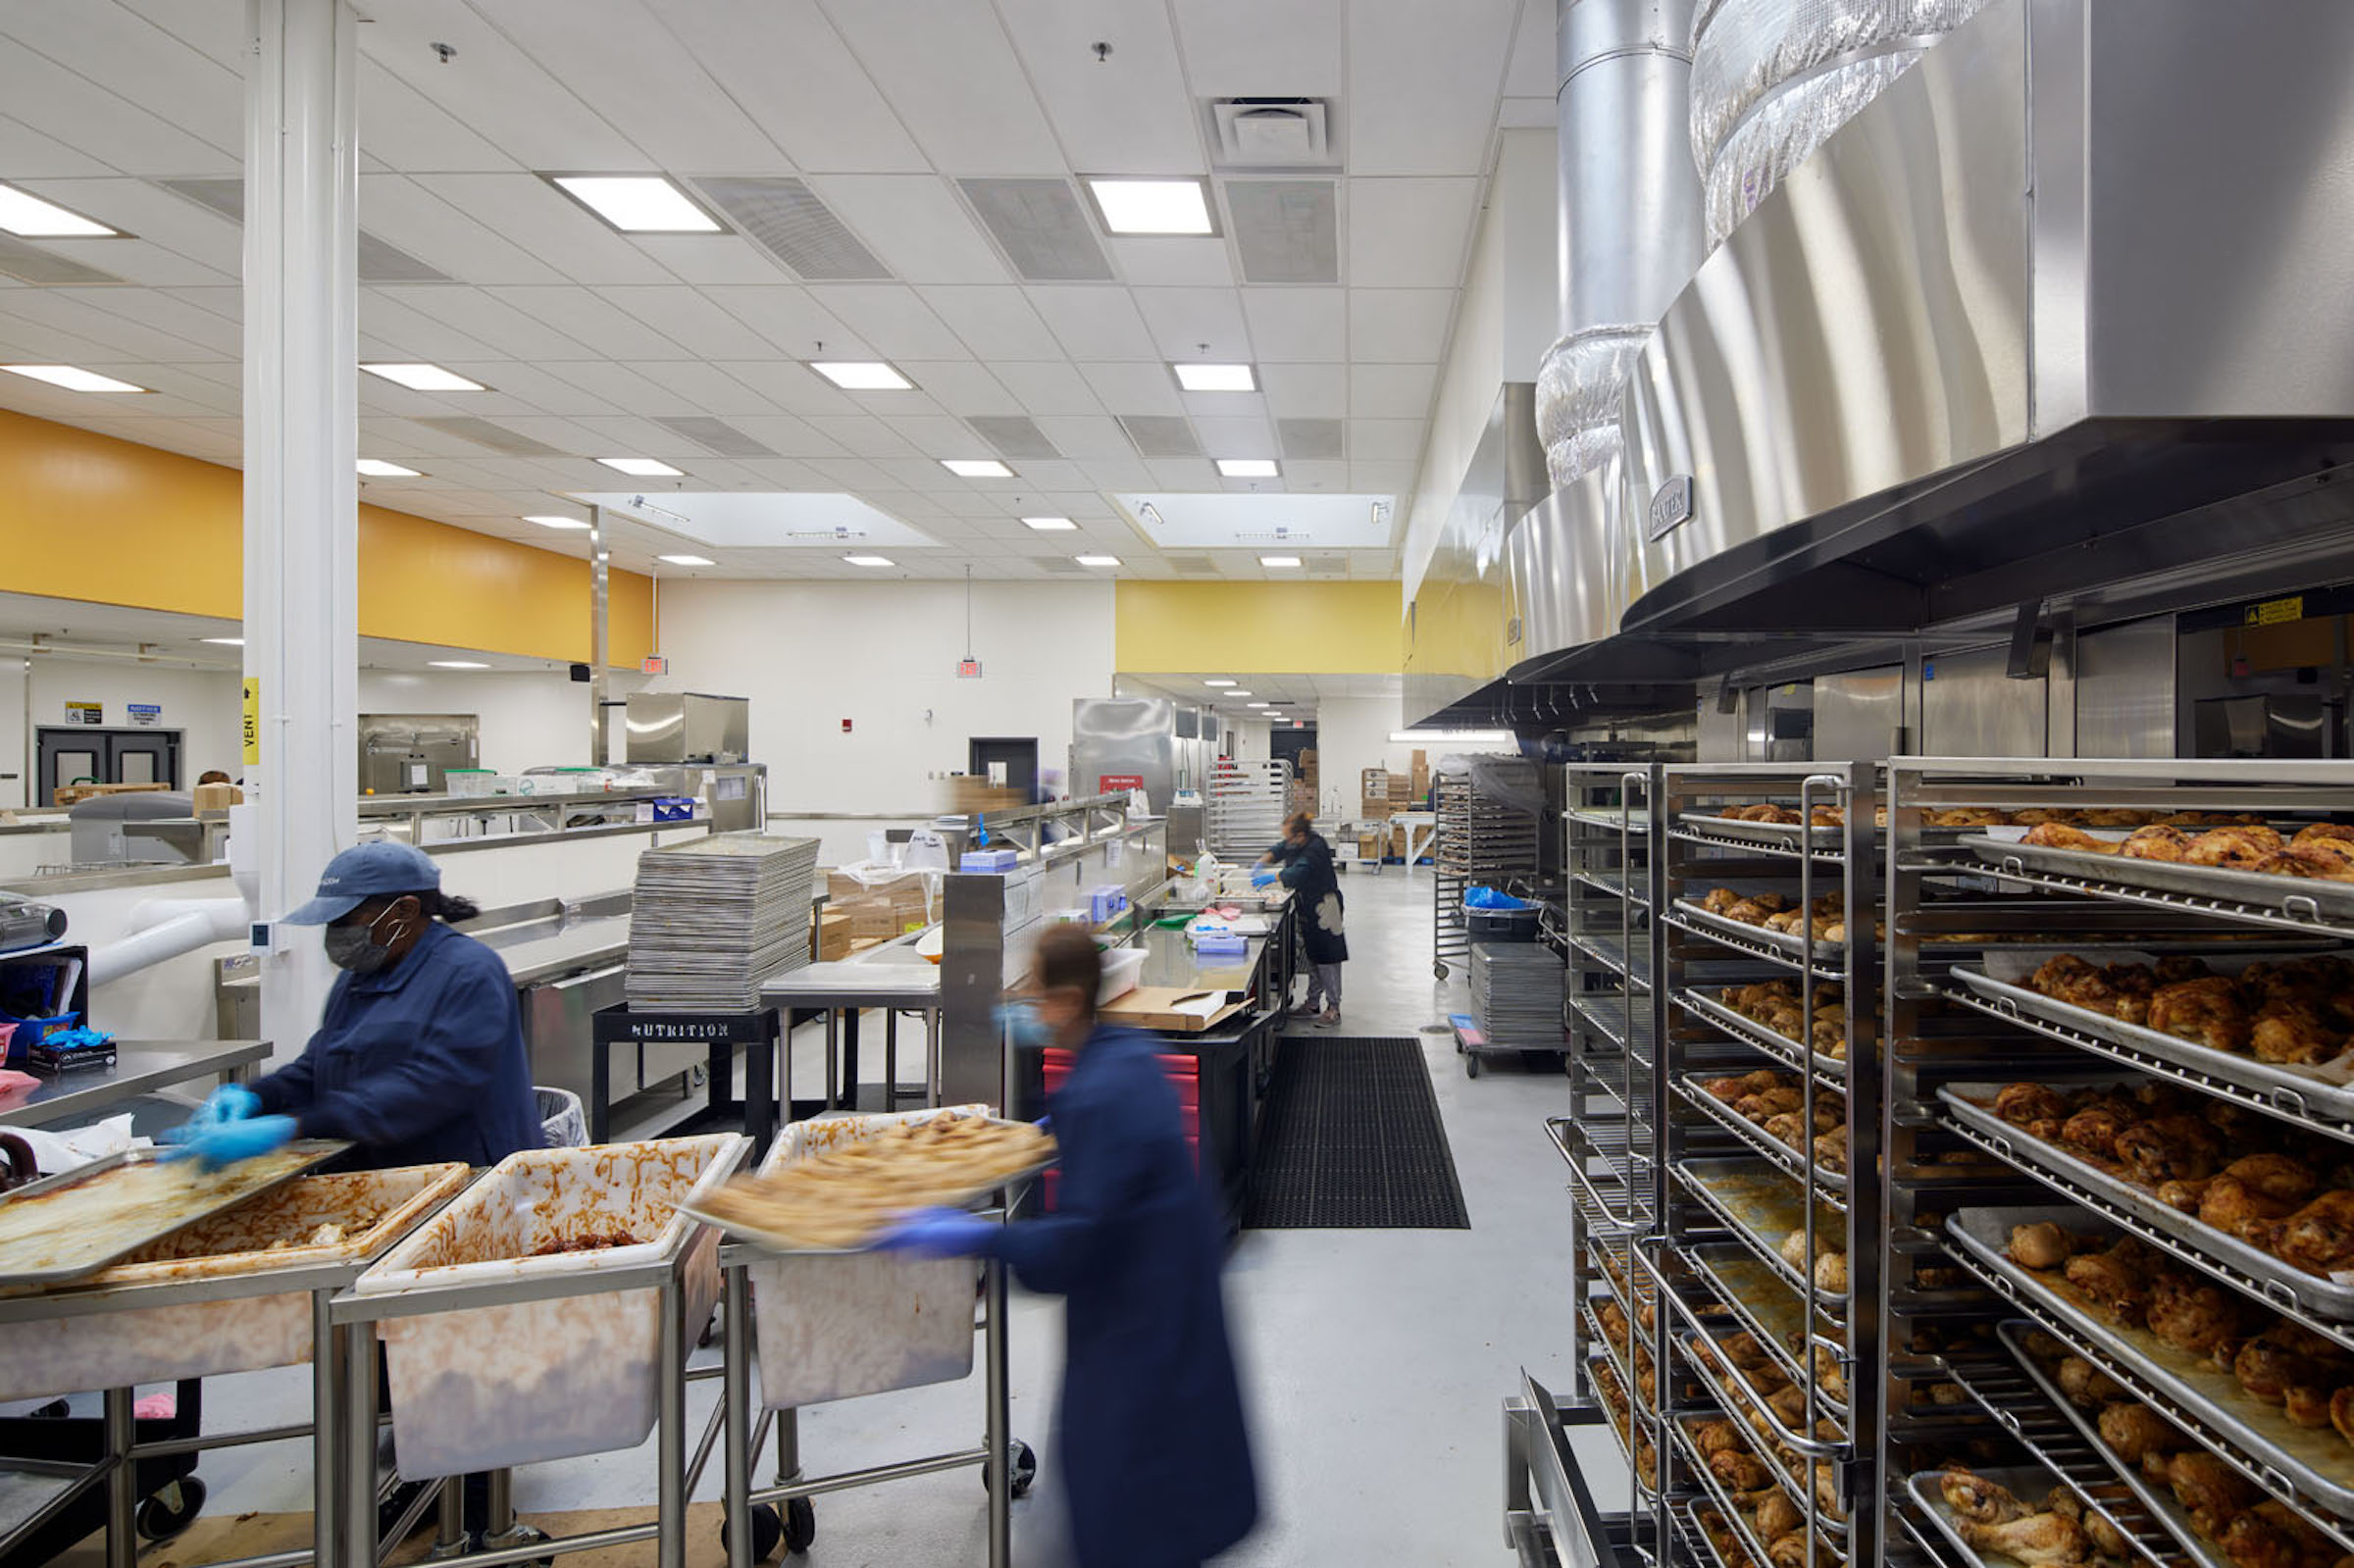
x=884, y=658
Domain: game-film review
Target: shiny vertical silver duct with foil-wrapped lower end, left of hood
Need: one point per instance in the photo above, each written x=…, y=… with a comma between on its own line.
x=1630, y=213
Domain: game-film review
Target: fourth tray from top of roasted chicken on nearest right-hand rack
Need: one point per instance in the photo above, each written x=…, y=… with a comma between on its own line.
x=2270, y=1388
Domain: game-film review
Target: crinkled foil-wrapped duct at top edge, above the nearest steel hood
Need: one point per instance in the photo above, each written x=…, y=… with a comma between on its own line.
x=1774, y=79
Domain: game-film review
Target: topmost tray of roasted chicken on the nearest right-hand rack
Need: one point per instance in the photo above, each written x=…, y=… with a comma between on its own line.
x=2242, y=865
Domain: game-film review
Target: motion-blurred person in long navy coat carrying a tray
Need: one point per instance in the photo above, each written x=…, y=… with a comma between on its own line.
x=1152, y=1440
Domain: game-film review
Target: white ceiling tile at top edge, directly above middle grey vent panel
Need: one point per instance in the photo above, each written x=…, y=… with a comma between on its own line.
x=957, y=84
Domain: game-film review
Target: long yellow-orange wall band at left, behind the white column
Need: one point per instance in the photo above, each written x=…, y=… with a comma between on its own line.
x=117, y=524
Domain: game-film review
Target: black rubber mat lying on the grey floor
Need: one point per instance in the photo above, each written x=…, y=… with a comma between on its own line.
x=1352, y=1141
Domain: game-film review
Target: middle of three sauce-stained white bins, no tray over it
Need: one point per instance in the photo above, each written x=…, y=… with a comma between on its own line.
x=484, y=1388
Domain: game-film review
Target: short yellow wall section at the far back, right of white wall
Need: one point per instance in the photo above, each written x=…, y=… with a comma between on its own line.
x=1294, y=627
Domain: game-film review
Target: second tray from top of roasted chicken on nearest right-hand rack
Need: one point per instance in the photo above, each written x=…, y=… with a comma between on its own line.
x=2273, y=1025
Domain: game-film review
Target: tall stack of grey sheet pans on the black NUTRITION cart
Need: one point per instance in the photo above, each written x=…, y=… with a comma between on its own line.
x=714, y=917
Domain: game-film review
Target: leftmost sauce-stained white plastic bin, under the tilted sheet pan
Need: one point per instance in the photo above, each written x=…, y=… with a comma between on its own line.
x=109, y=1350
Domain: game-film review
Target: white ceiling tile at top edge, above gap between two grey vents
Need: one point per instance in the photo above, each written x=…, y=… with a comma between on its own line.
x=799, y=81
